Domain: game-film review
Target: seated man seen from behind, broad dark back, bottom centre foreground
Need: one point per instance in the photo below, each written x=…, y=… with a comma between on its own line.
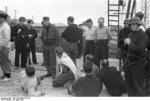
x=89, y=85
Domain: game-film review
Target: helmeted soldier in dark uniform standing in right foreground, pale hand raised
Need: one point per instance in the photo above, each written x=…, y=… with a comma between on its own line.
x=134, y=67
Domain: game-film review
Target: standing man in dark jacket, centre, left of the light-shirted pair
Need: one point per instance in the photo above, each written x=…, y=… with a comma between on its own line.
x=71, y=36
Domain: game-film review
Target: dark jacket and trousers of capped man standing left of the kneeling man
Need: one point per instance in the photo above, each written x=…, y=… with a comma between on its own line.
x=50, y=37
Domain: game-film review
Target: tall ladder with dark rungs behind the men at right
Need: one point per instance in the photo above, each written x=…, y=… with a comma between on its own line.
x=113, y=24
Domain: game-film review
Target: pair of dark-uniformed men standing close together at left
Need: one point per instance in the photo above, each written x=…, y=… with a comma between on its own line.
x=24, y=37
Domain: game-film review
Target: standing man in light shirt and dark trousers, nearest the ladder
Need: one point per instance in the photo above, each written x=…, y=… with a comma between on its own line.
x=103, y=36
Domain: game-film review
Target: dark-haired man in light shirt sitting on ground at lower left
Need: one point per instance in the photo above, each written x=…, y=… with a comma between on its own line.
x=30, y=82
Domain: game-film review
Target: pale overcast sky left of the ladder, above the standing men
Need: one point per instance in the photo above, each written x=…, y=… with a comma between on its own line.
x=57, y=10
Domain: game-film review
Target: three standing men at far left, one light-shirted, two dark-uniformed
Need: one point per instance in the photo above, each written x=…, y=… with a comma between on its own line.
x=23, y=35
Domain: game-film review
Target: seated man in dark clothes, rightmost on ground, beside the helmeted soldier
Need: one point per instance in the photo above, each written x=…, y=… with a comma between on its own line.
x=112, y=79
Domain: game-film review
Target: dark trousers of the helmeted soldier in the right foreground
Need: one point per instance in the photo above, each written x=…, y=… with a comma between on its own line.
x=134, y=77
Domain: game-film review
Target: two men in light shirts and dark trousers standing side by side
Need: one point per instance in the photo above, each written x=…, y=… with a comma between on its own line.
x=97, y=40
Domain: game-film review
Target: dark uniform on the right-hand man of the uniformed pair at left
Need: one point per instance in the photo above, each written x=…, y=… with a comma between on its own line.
x=32, y=46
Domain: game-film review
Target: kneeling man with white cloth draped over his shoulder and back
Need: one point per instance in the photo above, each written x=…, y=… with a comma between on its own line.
x=65, y=70
